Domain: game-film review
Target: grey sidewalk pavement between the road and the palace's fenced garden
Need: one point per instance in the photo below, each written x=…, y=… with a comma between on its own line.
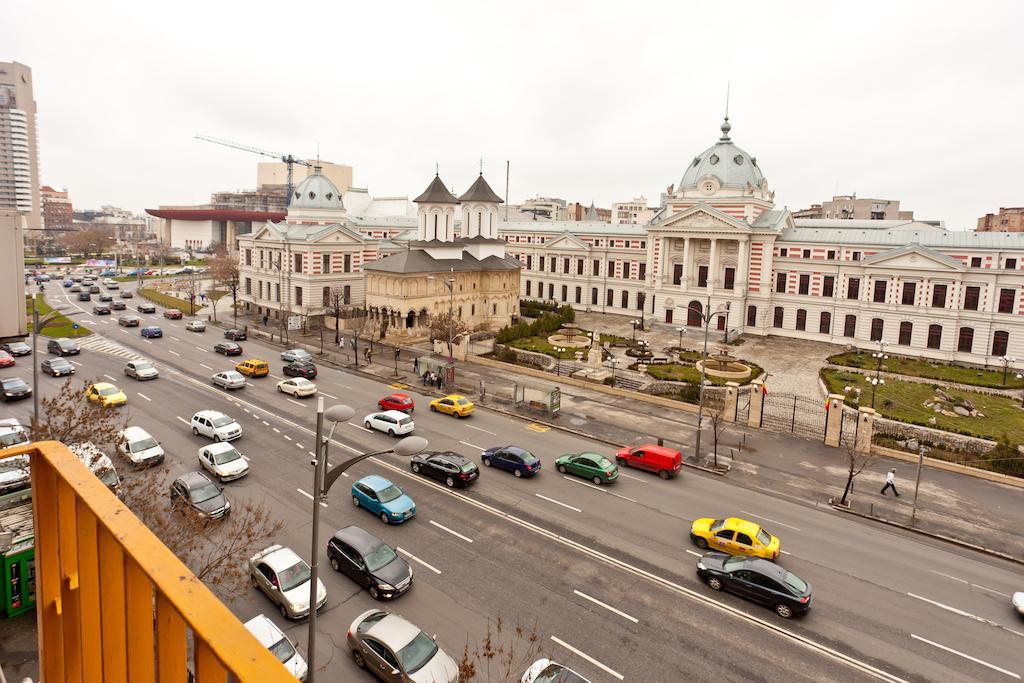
x=956, y=506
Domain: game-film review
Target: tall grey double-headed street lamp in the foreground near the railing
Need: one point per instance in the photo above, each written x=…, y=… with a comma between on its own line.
x=323, y=480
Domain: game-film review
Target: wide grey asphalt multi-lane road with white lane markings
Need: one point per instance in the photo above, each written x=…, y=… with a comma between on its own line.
x=605, y=574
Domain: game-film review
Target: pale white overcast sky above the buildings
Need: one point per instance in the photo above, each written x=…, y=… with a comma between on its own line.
x=589, y=101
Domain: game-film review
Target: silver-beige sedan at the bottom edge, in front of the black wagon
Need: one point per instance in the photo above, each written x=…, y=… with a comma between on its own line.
x=397, y=651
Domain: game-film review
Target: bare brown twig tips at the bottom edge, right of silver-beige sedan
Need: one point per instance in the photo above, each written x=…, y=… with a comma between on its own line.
x=501, y=656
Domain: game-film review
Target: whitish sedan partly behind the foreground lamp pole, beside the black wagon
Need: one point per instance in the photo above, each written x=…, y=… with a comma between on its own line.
x=284, y=577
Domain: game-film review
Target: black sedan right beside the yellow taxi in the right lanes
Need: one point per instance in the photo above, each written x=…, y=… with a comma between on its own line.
x=757, y=580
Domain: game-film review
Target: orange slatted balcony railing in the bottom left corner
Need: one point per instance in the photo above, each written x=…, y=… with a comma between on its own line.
x=113, y=604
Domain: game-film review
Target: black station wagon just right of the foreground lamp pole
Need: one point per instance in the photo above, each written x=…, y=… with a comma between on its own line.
x=370, y=563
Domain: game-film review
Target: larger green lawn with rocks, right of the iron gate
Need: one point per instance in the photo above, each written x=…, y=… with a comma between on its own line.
x=905, y=402
